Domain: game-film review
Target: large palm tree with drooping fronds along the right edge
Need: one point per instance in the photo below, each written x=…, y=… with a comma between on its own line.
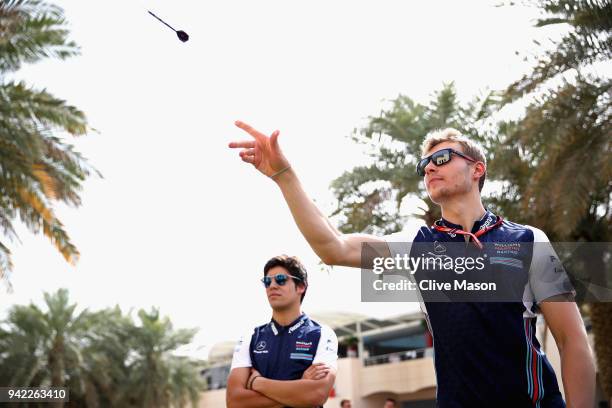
x=558, y=154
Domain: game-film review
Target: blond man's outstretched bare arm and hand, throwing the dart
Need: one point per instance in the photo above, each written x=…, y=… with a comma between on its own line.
x=333, y=247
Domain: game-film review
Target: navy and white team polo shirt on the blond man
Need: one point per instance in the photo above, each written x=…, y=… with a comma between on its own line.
x=486, y=354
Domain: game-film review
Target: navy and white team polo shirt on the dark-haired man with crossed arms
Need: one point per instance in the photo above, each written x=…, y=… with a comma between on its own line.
x=285, y=352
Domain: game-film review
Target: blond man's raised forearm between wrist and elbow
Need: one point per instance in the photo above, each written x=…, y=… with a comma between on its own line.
x=324, y=239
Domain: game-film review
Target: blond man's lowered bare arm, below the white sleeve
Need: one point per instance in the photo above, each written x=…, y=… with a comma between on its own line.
x=577, y=366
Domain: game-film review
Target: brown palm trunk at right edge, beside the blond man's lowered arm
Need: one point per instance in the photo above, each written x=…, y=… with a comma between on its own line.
x=601, y=320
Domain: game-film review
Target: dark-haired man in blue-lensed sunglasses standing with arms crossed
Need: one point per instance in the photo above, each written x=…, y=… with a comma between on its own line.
x=289, y=361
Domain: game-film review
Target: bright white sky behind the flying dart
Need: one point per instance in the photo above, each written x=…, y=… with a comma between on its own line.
x=179, y=221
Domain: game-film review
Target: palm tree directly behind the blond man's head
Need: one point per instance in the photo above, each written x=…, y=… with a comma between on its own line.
x=369, y=197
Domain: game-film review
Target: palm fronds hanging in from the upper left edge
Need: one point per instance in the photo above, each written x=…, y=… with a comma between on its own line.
x=37, y=165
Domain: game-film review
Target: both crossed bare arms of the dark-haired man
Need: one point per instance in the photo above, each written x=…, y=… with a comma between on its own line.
x=311, y=390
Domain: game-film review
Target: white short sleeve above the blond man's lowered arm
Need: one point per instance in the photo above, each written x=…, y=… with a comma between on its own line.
x=547, y=276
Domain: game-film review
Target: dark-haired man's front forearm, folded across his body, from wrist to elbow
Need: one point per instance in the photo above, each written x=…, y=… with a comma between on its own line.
x=295, y=393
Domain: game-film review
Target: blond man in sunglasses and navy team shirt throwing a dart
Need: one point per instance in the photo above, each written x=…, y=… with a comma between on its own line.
x=486, y=353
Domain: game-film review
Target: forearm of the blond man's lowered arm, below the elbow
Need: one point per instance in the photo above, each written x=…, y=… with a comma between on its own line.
x=578, y=372
